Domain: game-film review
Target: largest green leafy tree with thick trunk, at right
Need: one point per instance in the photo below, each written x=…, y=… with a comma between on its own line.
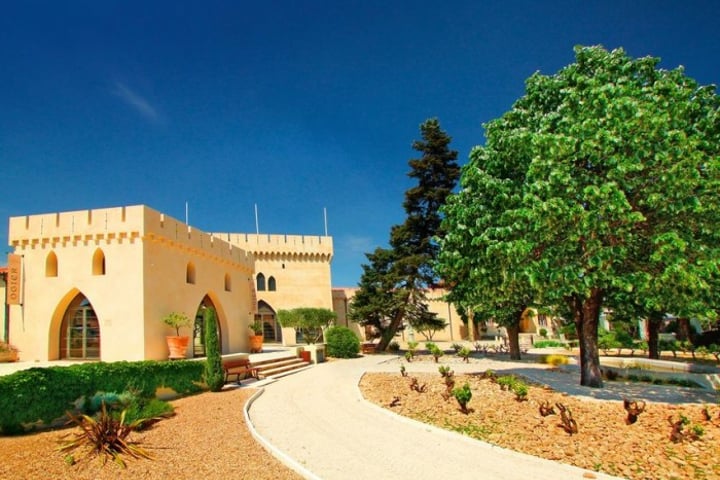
x=619, y=198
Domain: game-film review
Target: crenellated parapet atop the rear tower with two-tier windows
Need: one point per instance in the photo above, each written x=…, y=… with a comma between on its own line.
x=283, y=247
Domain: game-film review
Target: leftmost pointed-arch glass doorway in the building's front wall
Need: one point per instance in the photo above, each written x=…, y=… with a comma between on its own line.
x=80, y=331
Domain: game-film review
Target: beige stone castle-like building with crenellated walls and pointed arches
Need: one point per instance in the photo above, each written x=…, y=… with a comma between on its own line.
x=95, y=284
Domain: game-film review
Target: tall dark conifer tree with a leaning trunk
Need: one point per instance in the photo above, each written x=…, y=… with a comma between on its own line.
x=392, y=286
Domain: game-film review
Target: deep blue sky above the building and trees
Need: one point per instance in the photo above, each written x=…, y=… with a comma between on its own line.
x=295, y=106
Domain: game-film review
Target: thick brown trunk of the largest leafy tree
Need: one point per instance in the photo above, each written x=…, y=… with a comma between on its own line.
x=587, y=319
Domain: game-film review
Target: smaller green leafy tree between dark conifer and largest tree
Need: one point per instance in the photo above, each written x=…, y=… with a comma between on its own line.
x=482, y=253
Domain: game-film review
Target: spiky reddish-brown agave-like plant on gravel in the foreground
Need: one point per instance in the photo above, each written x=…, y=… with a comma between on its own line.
x=105, y=436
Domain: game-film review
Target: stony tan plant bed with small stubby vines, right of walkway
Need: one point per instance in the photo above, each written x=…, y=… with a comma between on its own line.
x=604, y=441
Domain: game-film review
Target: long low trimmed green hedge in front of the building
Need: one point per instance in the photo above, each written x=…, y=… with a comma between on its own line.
x=40, y=396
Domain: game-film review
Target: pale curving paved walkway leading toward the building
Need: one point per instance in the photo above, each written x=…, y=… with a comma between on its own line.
x=318, y=423
